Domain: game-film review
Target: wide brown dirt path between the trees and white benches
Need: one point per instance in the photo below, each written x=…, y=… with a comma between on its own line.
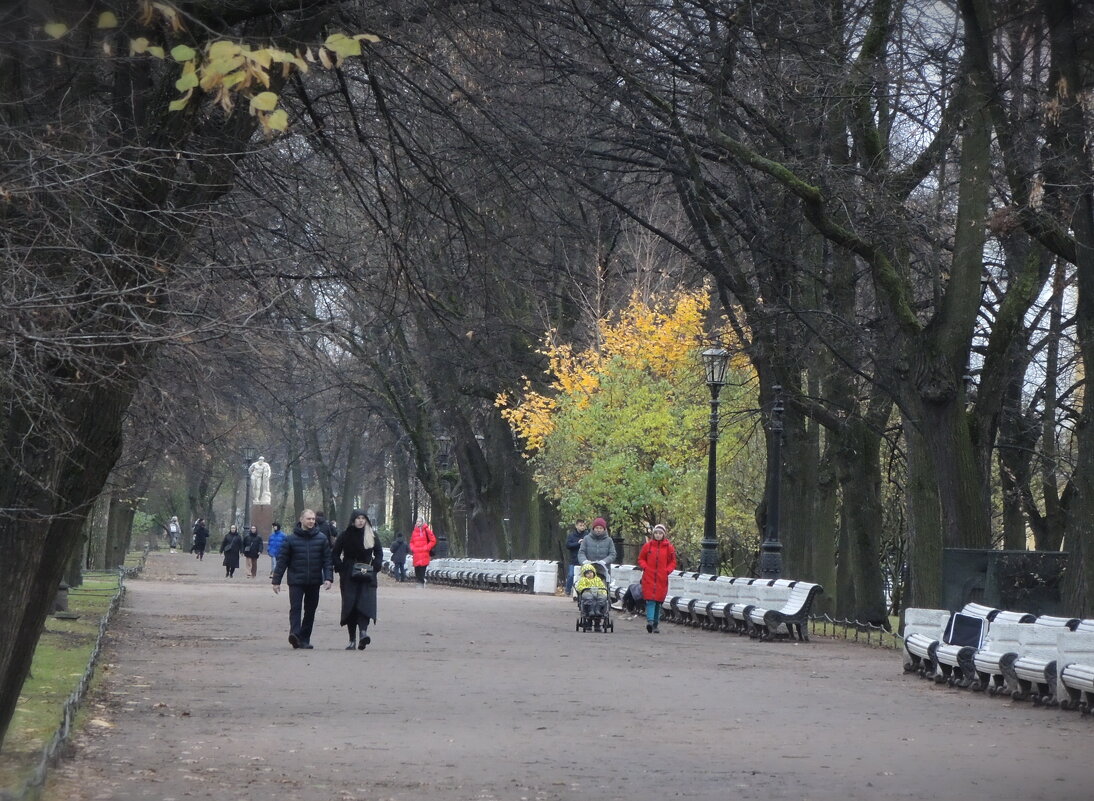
x=469, y=695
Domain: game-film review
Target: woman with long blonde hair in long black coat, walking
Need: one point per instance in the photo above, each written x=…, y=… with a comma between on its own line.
x=358, y=545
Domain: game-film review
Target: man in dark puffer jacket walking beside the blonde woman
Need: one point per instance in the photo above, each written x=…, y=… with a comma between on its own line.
x=306, y=556
